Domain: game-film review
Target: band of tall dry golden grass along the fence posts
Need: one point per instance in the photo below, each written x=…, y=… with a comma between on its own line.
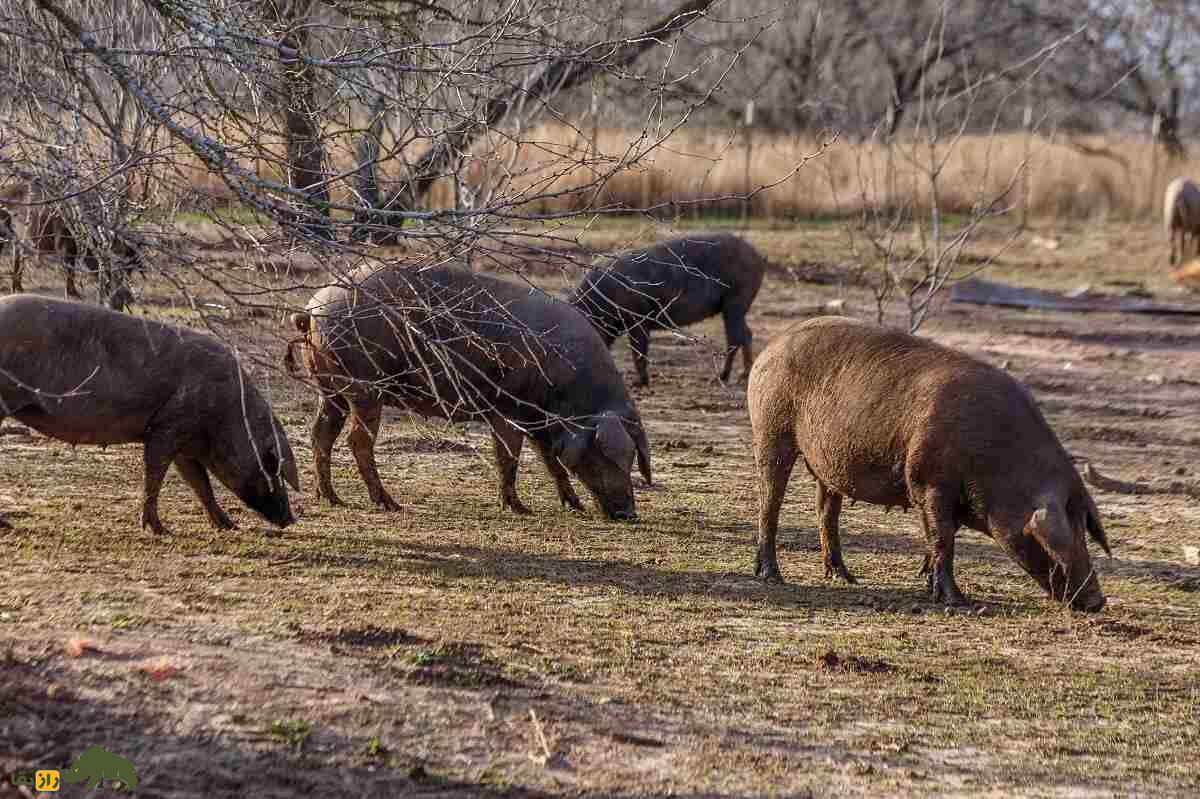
x=1093, y=177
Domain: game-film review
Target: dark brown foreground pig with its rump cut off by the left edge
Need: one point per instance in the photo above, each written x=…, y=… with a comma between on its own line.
x=86, y=375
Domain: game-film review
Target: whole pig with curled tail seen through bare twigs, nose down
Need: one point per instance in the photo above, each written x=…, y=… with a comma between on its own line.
x=529, y=365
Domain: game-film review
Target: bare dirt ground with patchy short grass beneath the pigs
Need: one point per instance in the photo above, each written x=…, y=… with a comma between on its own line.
x=454, y=650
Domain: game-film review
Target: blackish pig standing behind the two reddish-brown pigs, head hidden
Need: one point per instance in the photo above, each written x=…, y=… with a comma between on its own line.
x=671, y=285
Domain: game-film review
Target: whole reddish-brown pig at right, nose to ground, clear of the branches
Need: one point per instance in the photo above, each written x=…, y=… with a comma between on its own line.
x=886, y=418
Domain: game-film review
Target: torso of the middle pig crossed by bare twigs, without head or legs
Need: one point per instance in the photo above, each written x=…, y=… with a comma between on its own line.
x=446, y=343
